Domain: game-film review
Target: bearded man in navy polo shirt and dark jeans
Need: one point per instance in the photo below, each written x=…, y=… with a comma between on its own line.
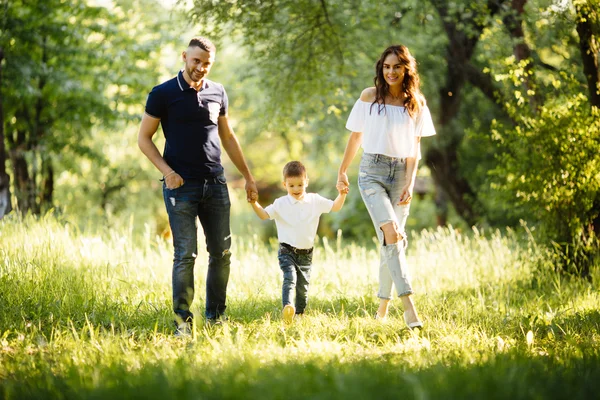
x=193, y=113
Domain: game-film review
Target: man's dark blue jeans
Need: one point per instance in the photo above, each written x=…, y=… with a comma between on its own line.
x=208, y=201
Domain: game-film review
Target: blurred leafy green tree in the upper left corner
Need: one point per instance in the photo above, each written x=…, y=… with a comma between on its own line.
x=68, y=67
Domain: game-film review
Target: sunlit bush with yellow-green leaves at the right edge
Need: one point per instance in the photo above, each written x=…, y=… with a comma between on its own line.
x=549, y=166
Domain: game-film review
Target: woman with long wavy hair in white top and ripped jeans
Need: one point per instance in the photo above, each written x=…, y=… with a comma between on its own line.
x=388, y=121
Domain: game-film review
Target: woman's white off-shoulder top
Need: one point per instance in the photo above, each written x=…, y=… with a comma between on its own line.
x=391, y=132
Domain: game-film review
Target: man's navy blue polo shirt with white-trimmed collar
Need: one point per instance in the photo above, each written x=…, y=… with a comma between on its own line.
x=189, y=121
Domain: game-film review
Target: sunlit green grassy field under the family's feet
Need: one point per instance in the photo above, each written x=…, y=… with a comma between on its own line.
x=87, y=316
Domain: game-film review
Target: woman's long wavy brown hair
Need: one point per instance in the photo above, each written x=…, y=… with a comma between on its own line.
x=411, y=84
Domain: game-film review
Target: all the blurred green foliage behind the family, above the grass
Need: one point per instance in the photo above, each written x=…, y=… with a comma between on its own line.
x=292, y=69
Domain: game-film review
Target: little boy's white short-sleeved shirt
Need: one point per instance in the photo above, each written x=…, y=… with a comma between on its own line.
x=297, y=220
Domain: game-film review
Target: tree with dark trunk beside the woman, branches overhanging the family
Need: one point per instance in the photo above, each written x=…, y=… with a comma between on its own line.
x=310, y=53
